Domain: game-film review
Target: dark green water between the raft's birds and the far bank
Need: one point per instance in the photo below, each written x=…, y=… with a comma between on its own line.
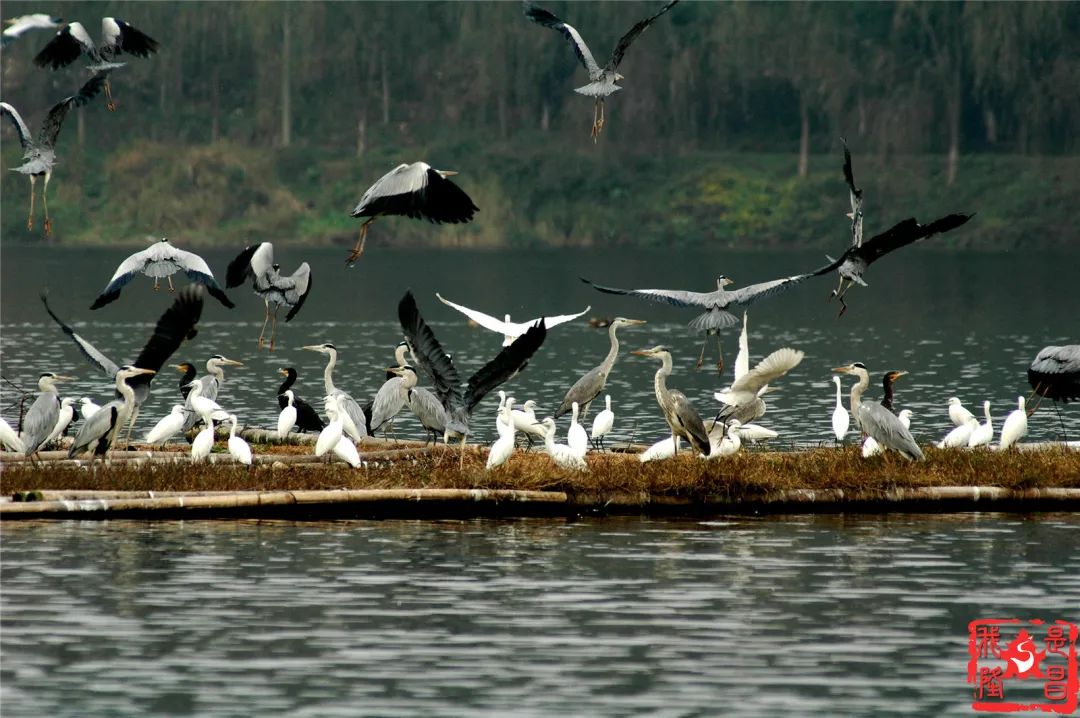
x=964, y=326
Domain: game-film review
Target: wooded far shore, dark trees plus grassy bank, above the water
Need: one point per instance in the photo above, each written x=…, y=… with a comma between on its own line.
x=268, y=120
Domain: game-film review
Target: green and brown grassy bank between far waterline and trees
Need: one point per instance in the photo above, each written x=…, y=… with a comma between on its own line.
x=533, y=194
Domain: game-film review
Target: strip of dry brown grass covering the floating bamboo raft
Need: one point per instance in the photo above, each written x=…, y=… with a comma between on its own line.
x=746, y=476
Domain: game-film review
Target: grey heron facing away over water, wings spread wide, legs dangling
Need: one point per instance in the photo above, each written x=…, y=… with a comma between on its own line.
x=717, y=304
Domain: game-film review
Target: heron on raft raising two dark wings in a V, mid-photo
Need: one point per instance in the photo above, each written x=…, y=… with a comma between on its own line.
x=430, y=358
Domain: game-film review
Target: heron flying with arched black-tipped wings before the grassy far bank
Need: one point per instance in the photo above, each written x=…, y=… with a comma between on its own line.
x=414, y=191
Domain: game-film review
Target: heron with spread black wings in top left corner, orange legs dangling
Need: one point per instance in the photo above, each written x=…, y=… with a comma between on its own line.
x=118, y=38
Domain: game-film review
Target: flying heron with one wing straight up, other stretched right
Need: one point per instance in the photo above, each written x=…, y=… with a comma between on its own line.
x=858, y=259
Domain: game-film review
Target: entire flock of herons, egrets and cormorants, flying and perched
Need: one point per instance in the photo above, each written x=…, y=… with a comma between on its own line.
x=424, y=378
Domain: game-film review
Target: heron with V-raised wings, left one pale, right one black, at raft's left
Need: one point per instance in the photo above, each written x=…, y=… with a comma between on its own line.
x=175, y=326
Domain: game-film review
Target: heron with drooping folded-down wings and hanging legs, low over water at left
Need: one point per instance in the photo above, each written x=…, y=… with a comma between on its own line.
x=267, y=281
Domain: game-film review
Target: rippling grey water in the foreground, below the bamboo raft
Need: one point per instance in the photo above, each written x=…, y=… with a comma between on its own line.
x=792, y=616
